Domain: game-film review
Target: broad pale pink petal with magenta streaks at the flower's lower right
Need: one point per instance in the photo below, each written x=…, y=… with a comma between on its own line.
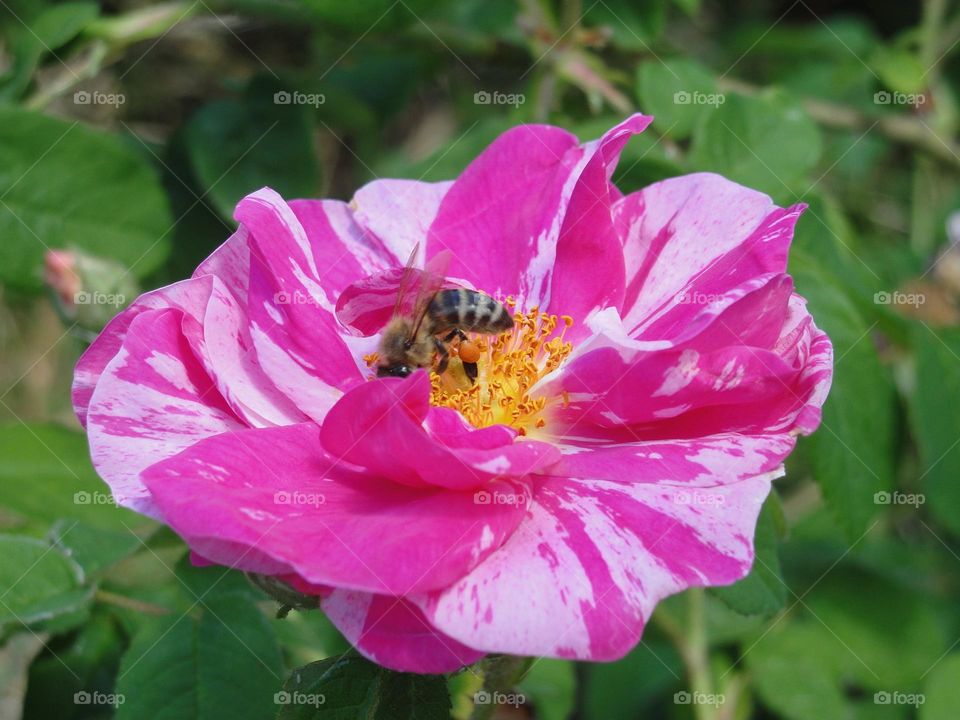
x=584, y=571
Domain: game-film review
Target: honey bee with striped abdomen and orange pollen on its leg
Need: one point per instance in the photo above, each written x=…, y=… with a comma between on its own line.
x=438, y=317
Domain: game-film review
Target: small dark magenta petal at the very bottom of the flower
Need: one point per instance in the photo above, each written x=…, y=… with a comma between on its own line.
x=393, y=632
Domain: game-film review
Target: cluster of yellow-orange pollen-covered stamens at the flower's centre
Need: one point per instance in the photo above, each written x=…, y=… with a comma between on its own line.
x=510, y=365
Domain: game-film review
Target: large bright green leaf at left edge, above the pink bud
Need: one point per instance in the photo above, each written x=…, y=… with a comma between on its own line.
x=64, y=185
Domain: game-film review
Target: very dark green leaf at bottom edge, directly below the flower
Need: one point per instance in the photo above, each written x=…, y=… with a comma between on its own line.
x=350, y=687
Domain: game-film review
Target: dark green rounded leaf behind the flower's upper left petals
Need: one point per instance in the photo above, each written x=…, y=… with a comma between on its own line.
x=237, y=146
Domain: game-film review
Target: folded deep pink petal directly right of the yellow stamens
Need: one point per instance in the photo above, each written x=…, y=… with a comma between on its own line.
x=734, y=368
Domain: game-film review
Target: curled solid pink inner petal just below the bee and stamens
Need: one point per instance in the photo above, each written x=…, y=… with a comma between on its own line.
x=388, y=427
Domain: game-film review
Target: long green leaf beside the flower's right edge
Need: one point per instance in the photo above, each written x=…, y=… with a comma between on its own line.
x=852, y=453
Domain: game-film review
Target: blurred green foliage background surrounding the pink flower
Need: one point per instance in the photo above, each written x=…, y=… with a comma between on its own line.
x=129, y=129
